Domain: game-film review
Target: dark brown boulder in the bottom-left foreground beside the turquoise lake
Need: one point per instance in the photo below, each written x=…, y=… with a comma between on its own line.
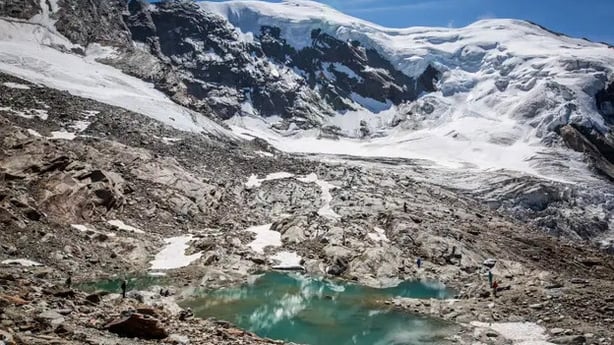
x=137, y=325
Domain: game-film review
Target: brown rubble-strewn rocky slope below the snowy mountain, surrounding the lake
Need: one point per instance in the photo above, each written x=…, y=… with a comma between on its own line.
x=68, y=192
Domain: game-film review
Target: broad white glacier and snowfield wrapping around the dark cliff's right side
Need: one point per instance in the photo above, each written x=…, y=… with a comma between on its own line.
x=507, y=88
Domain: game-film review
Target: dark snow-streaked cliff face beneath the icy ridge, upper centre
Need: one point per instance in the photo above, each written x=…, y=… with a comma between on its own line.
x=234, y=76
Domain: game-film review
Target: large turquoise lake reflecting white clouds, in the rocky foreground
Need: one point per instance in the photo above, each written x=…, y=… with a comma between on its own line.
x=316, y=311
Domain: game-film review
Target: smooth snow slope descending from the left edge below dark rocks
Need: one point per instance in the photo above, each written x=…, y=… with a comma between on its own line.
x=34, y=51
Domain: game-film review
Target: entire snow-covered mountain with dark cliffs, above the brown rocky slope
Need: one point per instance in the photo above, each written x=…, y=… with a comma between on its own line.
x=503, y=110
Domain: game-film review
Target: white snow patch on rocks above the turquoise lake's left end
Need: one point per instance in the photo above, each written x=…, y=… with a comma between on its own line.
x=173, y=256
